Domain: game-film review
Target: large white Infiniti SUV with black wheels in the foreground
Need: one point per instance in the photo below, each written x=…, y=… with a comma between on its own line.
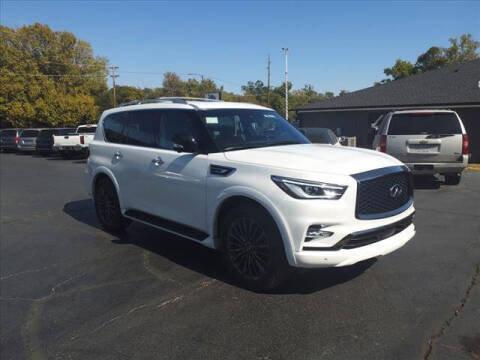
x=239, y=178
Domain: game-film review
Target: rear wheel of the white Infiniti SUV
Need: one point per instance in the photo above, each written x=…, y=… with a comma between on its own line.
x=107, y=207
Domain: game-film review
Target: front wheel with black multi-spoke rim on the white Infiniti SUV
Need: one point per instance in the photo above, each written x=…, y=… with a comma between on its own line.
x=252, y=248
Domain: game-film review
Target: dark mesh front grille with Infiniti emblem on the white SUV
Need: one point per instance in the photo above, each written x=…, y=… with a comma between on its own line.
x=383, y=192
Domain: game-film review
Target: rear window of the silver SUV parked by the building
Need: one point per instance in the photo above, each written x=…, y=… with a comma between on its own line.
x=424, y=123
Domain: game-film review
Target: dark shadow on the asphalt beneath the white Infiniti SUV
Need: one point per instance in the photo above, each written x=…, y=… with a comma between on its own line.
x=206, y=261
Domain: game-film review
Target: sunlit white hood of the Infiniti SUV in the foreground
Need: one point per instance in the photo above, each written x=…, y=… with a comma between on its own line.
x=315, y=157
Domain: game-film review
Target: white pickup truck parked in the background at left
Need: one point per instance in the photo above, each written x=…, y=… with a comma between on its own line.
x=76, y=143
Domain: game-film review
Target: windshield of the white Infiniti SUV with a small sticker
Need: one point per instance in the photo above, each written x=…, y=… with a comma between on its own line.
x=235, y=129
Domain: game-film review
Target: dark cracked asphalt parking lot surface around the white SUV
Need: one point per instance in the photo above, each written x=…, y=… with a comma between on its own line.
x=71, y=291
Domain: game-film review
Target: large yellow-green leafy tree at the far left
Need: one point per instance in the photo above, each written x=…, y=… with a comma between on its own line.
x=49, y=78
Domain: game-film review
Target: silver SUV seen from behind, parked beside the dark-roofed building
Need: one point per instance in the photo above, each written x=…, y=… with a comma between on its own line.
x=427, y=141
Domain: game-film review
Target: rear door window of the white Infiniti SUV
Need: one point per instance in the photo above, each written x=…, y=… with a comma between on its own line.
x=143, y=128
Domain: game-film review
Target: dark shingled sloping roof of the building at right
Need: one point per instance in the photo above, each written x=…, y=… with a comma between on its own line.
x=452, y=85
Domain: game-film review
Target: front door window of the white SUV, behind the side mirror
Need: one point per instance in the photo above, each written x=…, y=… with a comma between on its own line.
x=179, y=122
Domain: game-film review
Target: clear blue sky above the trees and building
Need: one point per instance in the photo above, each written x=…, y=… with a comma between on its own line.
x=333, y=45
